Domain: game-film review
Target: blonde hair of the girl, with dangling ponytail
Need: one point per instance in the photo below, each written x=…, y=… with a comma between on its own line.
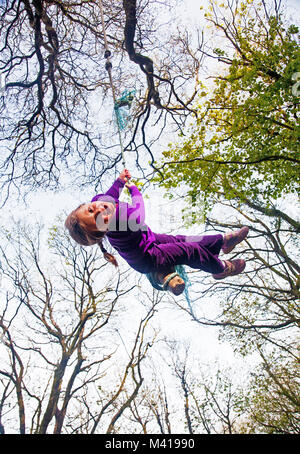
x=84, y=238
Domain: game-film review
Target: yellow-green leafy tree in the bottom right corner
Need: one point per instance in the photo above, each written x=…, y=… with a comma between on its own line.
x=272, y=400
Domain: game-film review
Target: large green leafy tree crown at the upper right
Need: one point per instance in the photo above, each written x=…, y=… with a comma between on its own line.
x=247, y=134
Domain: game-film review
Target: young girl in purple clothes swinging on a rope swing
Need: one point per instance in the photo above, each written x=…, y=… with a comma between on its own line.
x=145, y=251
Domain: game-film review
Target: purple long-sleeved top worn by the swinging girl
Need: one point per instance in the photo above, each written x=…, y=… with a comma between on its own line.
x=128, y=233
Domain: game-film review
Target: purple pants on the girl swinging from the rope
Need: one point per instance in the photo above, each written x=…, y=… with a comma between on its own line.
x=199, y=252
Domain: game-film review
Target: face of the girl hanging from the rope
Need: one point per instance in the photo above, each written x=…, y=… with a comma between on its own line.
x=96, y=216
